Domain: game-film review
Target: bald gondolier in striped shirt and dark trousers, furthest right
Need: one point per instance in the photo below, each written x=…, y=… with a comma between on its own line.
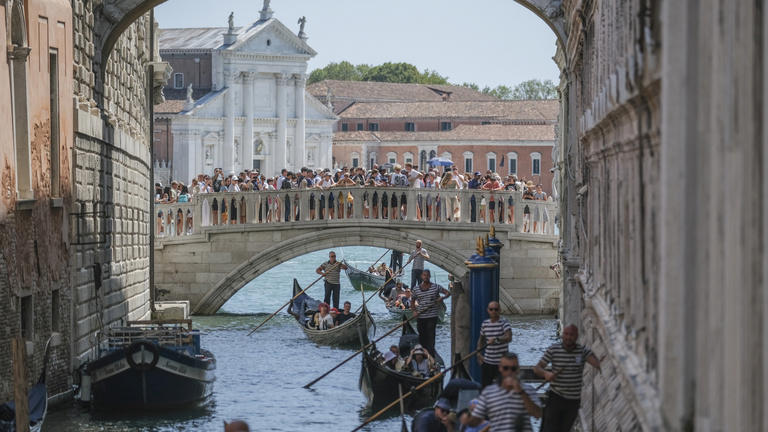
x=564, y=395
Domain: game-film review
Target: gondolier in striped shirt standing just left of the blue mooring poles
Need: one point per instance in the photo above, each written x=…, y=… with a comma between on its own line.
x=427, y=301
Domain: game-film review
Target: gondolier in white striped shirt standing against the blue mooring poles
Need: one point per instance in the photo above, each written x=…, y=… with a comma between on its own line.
x=495, y=333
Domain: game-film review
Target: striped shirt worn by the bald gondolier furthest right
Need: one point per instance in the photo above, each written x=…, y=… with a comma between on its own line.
x=569, y=365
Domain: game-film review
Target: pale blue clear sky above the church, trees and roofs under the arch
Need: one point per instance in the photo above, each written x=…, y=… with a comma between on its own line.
x=487, y=42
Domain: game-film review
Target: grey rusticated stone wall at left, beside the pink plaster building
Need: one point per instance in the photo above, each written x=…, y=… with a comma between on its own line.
x=110, y=222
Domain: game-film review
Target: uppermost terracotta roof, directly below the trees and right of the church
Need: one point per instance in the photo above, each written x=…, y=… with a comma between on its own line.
x=344, y=92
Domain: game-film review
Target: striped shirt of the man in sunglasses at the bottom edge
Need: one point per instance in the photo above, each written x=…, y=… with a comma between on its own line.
x=505, y=409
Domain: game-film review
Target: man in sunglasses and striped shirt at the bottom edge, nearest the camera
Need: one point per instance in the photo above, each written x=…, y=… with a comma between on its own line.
x=507, y=403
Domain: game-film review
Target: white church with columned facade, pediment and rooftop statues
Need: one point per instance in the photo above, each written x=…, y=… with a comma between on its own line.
x=237, y=101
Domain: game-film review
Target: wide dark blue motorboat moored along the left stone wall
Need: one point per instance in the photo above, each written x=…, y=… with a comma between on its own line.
x=149, y=365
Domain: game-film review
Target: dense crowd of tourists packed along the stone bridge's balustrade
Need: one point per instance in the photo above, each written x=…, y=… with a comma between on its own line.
x=378, y=204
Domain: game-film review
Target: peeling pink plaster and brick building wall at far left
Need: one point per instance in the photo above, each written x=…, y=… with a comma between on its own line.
x=34, y=247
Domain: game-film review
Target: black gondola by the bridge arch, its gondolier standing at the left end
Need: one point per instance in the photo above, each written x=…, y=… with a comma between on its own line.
x=348, y=334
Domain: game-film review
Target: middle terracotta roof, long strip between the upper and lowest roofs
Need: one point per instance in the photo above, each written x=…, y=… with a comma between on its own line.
x=527, y=110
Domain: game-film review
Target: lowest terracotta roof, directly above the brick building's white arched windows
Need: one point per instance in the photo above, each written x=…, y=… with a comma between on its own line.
x=493, y=132
